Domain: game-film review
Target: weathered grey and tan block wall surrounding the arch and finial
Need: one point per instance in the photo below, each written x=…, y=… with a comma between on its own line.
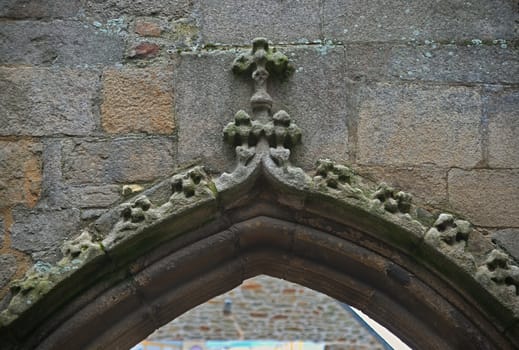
x=97, y=97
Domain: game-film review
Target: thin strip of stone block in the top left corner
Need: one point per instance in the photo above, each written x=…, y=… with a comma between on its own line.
x=21, y=9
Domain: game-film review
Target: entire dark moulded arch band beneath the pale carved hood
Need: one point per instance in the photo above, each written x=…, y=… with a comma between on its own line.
x=145, y=282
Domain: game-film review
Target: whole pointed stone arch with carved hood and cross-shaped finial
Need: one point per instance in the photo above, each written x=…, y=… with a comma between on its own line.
x=431, y=279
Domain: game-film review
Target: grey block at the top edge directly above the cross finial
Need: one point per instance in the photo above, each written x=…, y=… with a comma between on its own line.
x=238, y=22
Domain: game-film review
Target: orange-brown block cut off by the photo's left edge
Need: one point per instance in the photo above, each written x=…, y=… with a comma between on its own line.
x=20, y=172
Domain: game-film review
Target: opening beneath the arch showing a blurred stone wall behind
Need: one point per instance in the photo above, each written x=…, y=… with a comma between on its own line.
x=269, y=313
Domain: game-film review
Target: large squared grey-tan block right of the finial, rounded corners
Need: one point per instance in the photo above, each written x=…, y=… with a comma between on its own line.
x=415, y=124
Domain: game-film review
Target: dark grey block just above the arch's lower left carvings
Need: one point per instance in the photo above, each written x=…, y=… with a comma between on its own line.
x=42, y=233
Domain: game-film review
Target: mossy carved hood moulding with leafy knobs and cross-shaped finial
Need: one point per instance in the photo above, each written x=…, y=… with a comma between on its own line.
x=263, y=142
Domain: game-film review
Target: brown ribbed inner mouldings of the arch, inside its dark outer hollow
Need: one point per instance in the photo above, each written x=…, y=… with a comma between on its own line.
x=344, y=263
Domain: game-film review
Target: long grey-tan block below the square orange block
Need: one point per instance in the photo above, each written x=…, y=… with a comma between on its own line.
x=98, y=161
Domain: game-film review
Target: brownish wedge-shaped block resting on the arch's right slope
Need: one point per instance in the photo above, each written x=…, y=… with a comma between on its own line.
x=428, y=183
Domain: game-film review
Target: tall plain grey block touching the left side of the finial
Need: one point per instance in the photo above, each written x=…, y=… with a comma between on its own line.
x=204, y=106
